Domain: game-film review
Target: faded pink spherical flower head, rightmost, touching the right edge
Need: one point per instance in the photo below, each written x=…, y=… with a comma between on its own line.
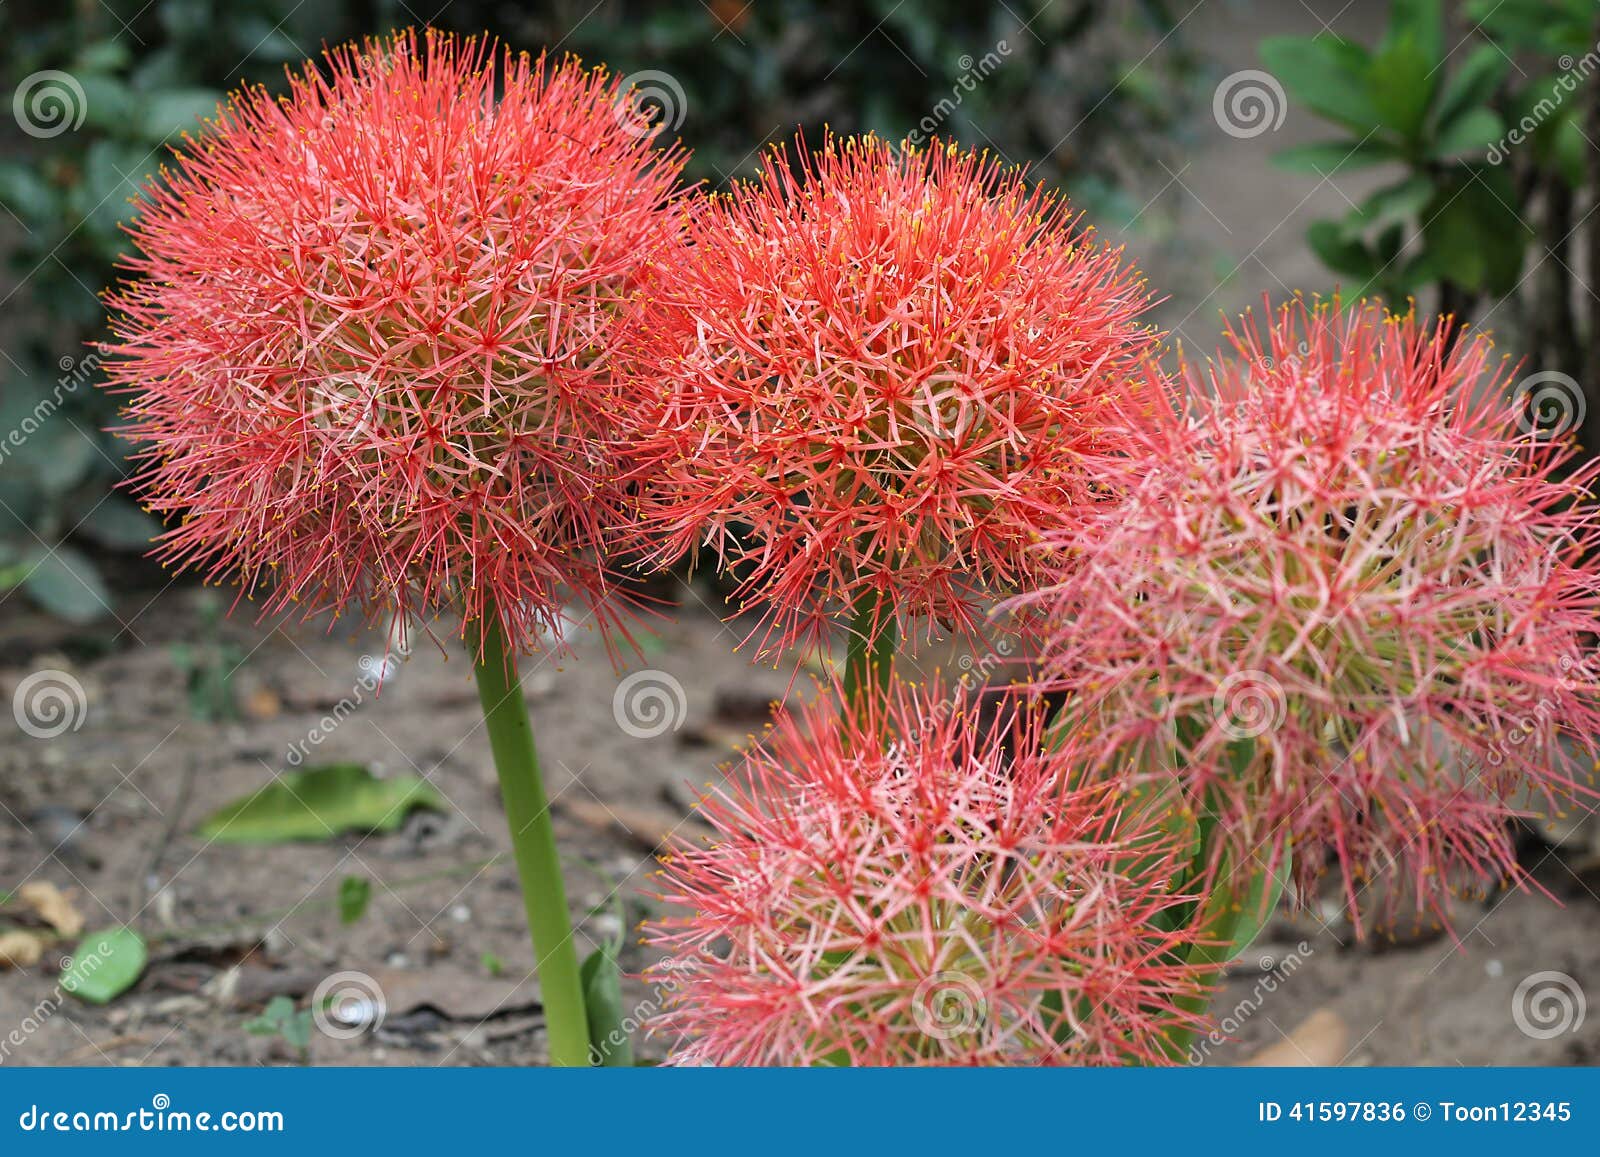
x=1345, y=611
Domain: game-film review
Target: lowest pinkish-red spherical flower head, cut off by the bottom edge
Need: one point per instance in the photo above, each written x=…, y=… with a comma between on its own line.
x=902, y=887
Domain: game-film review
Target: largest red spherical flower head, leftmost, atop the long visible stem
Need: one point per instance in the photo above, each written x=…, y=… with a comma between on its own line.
x=369, y=335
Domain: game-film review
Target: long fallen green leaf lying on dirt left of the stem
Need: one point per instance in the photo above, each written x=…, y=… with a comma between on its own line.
x=319, y=804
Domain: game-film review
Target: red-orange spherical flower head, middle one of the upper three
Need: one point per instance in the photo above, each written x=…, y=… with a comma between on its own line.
x=884, y=378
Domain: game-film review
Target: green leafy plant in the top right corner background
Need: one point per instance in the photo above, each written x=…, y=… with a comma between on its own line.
x=1489, y=164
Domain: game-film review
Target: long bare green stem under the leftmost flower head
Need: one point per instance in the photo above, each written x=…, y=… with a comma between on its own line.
x=534, y=843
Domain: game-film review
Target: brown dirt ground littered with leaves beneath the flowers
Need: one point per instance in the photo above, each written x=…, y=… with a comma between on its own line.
x=108, y=814
